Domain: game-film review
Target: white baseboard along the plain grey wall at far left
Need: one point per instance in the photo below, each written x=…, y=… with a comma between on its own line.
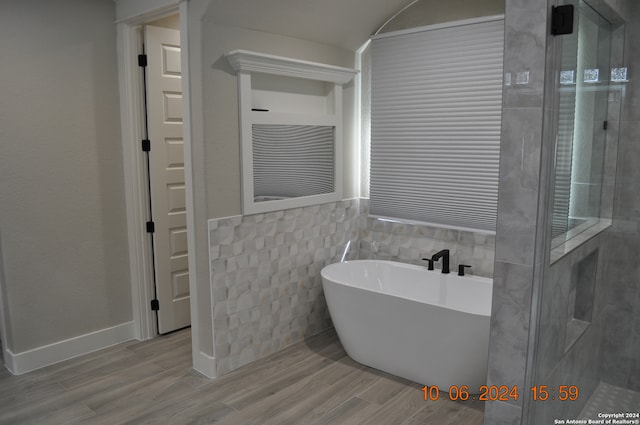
x=46, y=355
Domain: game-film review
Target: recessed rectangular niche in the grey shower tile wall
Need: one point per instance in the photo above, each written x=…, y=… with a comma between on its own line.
x=581, y=295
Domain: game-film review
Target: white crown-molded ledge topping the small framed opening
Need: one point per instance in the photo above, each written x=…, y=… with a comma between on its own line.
x=247, y=61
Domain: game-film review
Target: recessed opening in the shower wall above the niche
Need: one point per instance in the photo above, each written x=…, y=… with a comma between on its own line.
x=582, y=122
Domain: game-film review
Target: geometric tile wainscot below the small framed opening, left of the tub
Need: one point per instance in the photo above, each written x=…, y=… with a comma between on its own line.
x=265, y=276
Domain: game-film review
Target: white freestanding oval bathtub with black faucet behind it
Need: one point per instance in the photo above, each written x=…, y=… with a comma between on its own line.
x=425, y=326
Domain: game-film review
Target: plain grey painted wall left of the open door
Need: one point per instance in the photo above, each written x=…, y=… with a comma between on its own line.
x=62, y=215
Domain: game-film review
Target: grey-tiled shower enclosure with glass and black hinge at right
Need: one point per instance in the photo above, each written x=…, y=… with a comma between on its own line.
x=585, y=319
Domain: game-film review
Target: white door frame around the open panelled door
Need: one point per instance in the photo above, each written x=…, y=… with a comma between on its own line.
x=130, y=38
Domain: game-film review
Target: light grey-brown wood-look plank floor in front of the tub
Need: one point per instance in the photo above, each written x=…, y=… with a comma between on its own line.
x=151, y=382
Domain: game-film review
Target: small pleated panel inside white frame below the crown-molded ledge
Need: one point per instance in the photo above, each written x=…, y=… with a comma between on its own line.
x=290, y=161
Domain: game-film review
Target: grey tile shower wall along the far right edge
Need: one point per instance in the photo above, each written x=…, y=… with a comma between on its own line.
x=621, y=363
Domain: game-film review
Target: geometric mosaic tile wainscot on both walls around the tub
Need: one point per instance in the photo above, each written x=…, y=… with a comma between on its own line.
x=265, y=270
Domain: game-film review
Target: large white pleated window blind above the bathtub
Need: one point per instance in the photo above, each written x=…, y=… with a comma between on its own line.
x=436, y=104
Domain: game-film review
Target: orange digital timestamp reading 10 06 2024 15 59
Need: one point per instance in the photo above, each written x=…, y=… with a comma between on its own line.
x=502, y=393
